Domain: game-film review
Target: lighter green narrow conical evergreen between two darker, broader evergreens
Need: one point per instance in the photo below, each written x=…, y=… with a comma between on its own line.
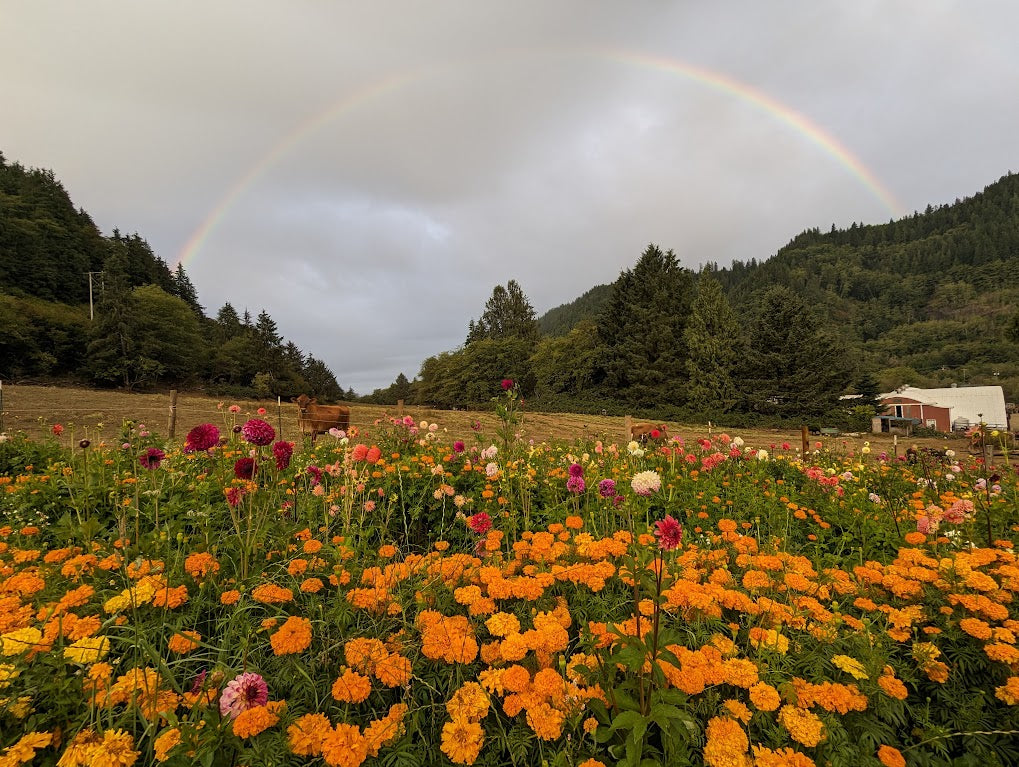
x=715, y=347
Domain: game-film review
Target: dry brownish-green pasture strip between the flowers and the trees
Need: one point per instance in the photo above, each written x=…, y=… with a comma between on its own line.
x=99, y=414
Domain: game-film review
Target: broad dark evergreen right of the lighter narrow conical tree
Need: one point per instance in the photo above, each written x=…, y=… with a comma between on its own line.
x=795, y=368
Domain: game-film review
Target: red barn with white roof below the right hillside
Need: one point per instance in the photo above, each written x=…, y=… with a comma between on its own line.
x=947, y=410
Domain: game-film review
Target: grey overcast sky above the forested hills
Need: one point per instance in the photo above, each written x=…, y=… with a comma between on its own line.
x=368, y=173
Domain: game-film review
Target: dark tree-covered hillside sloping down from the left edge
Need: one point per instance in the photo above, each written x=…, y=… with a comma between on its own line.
x=144, y=326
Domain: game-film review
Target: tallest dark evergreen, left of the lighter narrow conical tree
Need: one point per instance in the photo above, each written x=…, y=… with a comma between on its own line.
x=642, y=331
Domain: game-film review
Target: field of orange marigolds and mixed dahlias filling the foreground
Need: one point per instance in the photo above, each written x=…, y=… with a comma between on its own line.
x=400, y=595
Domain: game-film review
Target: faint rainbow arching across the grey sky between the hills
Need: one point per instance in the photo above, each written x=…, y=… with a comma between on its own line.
x=393, y=84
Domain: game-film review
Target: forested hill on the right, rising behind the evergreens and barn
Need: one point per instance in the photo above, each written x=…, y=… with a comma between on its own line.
x=925, y=300
